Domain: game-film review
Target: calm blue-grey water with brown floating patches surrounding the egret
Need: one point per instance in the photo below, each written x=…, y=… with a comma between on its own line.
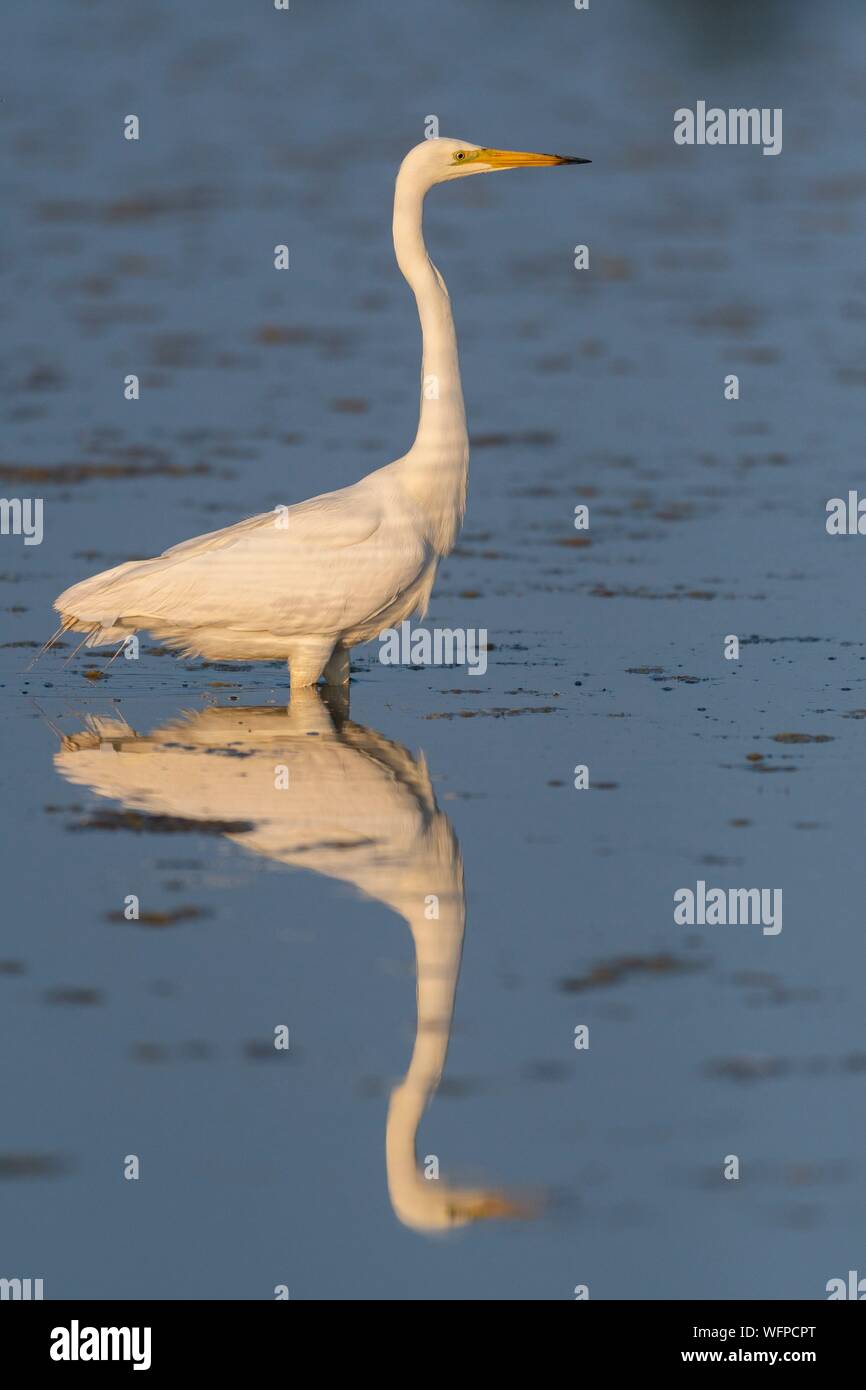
x=263, y=1168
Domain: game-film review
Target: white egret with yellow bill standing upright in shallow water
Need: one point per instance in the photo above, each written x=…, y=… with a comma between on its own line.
x=307, y=583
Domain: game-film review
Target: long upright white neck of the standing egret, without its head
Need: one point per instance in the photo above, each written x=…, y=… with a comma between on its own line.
x=436, y=469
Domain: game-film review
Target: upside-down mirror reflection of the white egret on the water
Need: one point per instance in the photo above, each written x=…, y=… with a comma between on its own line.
x=358, y=808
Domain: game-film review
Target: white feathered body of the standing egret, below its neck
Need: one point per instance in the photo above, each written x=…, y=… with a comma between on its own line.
x=304, y=584
